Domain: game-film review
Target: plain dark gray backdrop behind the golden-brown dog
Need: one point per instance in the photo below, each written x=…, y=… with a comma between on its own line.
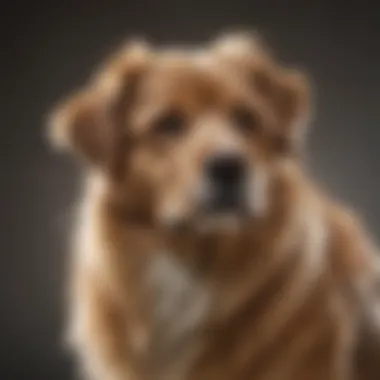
x=48, y=50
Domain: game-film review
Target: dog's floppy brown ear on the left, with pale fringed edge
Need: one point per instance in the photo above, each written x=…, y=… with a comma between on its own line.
x=85, y=123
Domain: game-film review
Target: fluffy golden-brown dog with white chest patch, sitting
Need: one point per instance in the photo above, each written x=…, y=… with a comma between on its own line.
x=202, y=248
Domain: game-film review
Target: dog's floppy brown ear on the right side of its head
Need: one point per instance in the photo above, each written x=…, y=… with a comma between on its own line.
x=286, y=90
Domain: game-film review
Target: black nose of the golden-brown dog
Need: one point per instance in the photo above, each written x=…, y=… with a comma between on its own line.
x=226, y=170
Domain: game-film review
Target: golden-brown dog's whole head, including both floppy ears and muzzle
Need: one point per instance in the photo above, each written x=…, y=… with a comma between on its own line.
x=196, y=137
